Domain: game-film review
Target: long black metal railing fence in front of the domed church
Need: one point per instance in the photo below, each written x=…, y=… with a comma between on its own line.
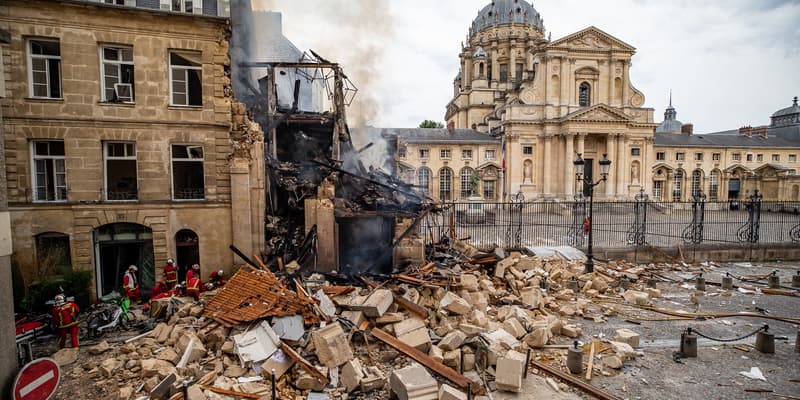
x=615, y=224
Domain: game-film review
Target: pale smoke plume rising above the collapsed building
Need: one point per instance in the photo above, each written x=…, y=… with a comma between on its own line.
x=352, y=33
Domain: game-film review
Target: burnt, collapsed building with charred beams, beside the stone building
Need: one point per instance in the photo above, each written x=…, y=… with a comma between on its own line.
x=324, y=207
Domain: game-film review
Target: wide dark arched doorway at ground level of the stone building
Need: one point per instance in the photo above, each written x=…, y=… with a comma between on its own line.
x=118, y=246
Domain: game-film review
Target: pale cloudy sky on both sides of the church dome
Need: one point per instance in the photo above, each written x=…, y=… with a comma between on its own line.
x=729, y=63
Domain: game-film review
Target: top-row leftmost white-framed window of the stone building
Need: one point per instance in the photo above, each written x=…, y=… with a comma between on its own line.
x=45, y=72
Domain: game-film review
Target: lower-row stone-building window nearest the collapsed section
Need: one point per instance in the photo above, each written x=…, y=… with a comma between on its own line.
x=187, y=172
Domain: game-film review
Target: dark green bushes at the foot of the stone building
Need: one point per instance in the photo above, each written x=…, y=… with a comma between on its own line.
x=74, y=283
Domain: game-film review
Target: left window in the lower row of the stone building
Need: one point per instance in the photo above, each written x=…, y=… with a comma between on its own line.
x=49, y=177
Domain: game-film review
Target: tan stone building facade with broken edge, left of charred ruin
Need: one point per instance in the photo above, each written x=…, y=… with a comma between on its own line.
x=122, y=145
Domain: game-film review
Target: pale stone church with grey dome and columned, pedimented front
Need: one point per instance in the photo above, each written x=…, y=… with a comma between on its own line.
x=547, y=101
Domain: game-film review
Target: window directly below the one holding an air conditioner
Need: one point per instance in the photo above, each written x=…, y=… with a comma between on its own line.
x=121, y=171
